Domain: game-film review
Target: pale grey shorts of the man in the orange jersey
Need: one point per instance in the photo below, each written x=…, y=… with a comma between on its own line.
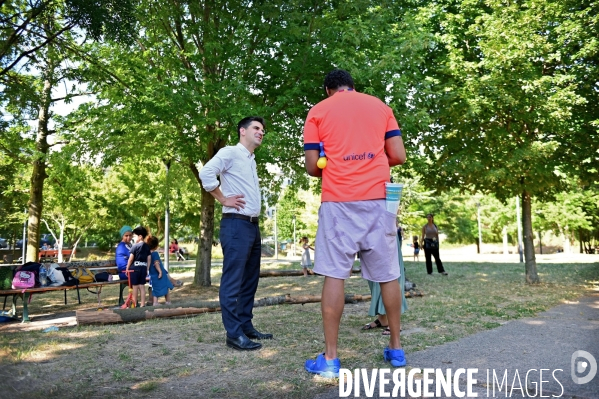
x=345, y=228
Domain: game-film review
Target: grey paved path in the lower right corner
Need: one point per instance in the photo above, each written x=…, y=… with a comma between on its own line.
x=547, y=341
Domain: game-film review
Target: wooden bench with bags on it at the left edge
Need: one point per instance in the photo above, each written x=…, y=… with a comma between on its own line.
x=95, y=266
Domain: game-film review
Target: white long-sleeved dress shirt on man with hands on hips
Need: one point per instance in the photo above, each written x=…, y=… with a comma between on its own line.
x=236, y=167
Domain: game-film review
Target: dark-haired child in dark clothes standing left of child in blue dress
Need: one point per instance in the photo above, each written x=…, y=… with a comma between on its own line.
x=138, y=262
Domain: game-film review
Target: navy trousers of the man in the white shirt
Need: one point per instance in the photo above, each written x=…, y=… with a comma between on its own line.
x=240, y=240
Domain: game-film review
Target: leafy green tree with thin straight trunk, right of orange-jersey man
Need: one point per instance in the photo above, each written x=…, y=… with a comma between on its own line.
x=505, y=102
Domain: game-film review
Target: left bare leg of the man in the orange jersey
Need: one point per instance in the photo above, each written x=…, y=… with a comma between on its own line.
x=333, y=301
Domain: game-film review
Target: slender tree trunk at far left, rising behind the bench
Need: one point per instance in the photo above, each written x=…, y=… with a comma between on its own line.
x=38, y=176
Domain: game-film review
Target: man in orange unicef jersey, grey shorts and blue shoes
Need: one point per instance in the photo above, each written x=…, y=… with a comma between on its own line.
x=361, y=140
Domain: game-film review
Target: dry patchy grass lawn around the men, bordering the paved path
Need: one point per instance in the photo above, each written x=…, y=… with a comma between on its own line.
x=187, y=357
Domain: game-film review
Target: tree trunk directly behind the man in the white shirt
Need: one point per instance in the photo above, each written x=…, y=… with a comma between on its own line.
x=204, y=259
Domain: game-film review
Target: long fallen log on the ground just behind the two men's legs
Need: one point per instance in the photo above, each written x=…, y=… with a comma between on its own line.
x=114, y=316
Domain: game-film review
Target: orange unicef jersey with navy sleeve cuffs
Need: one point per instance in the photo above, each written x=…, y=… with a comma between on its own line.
x=353, y=128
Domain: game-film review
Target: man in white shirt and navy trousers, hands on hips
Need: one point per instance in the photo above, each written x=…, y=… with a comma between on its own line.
x=239, y=193
